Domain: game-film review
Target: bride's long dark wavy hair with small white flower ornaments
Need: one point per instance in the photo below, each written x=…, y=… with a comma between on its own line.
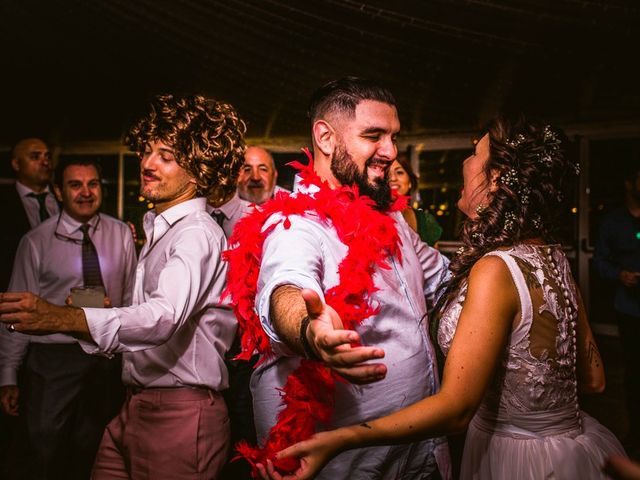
x=532, y=178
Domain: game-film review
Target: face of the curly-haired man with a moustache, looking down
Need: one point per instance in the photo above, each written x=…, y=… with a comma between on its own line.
x=162, y=180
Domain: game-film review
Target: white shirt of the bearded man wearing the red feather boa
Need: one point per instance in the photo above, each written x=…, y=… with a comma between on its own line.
x=307, y=255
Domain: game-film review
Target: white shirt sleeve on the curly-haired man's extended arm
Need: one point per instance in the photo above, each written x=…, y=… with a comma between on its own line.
x=193, y=261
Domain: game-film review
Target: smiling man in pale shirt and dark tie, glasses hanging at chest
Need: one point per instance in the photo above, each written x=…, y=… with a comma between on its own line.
x=68, y=392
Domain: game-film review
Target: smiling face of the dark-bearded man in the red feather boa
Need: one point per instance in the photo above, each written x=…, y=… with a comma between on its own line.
x=366, y=148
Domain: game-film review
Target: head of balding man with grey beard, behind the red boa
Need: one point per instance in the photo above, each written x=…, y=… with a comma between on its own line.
x=258, y=176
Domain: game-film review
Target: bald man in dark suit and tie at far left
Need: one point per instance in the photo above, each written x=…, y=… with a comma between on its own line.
x=27, y=202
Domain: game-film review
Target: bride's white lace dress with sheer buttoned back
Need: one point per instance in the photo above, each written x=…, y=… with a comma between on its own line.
x=529, y=424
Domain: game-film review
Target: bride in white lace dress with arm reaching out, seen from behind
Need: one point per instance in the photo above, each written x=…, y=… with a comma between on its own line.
x=517, y=341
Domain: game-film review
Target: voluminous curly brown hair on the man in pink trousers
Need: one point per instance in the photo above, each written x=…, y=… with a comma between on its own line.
x=207, y=137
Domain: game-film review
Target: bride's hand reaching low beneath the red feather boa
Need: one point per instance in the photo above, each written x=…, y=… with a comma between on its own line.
x=313, y=454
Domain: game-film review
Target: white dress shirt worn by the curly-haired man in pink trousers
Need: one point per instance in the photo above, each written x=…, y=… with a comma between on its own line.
x=177, y=330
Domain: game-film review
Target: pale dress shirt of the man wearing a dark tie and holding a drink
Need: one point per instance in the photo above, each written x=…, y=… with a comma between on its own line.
x=48, y=263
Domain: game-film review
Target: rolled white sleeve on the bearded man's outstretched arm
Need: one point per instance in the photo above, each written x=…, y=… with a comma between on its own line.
x=290, y=256
